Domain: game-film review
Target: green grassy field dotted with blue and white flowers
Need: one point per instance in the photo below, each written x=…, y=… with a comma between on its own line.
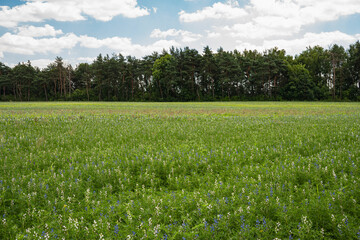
x=237, y=170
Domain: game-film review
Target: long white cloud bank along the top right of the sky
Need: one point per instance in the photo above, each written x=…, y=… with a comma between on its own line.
x=302, y=11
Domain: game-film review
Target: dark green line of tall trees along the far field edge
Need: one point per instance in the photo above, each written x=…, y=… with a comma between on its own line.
x=187, y=75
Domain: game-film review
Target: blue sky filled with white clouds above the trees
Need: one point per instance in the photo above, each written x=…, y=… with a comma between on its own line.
x=79, y=30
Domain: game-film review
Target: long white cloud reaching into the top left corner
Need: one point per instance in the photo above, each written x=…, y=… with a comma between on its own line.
x=69, y=10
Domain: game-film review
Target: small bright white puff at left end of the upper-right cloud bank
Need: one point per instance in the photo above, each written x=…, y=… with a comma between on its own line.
x=229, y=10
